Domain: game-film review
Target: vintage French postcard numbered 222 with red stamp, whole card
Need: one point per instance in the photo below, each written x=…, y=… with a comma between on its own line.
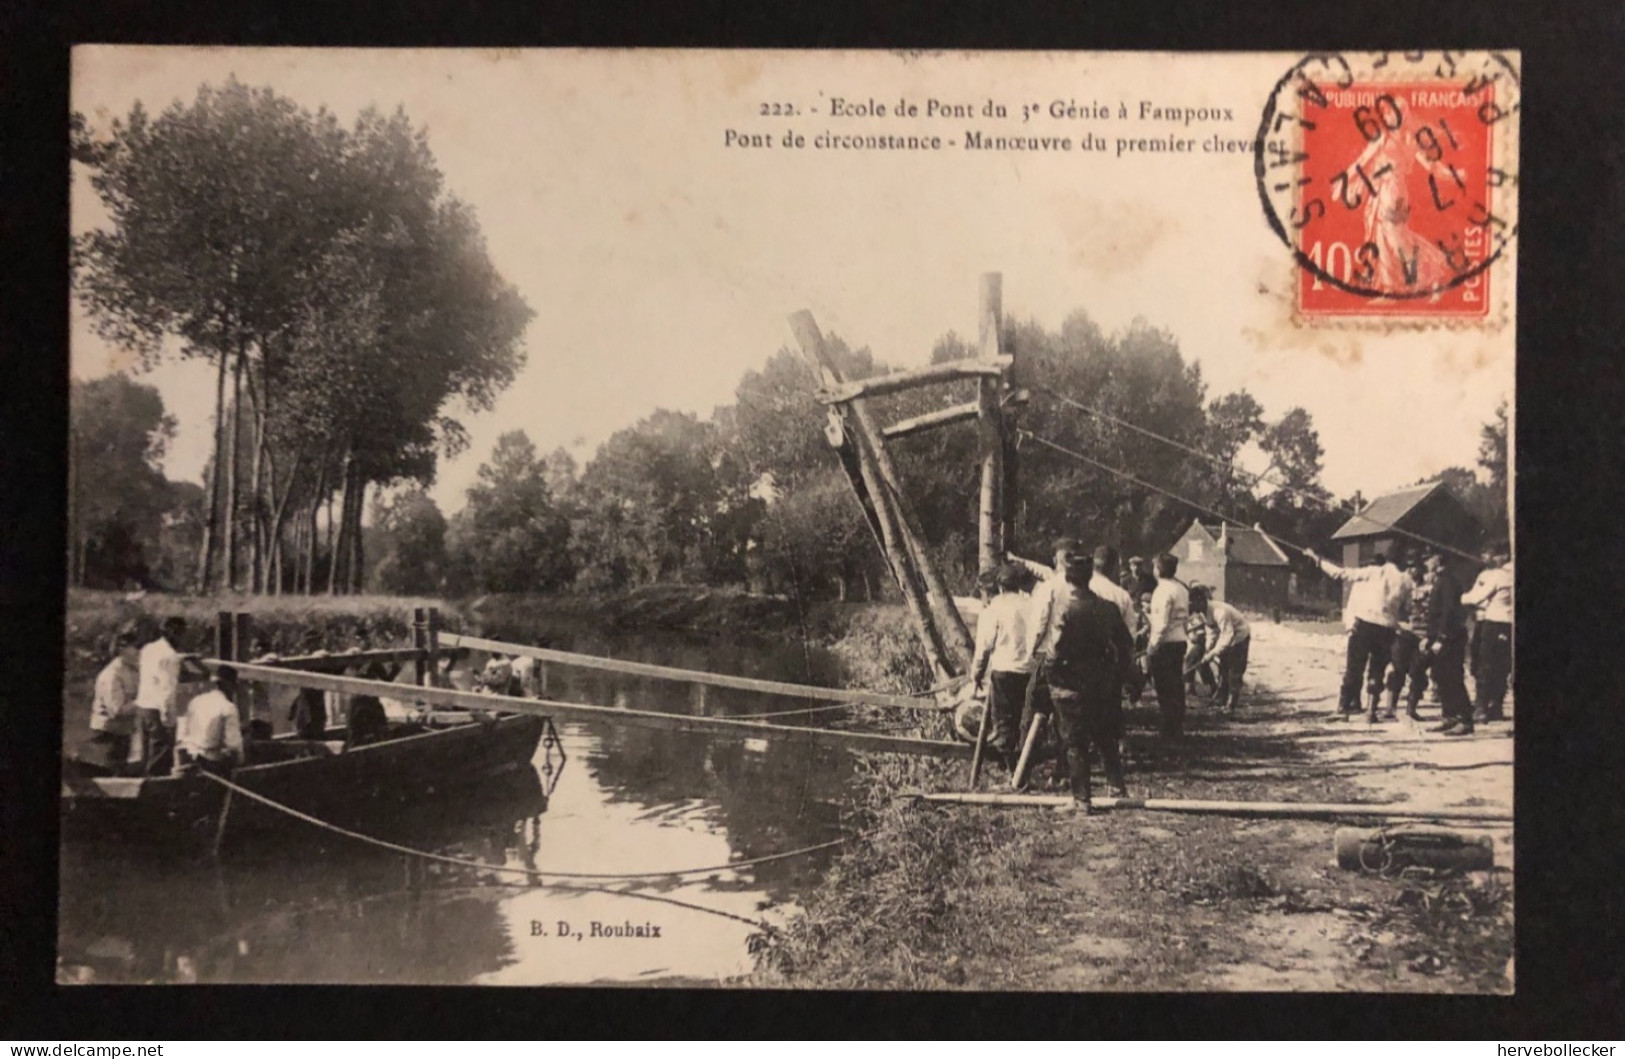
x=792, y=519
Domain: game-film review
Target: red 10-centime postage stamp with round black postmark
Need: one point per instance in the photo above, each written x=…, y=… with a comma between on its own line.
x=1387, y=176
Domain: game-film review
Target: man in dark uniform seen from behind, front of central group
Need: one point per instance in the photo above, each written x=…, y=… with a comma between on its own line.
x=1091, y=662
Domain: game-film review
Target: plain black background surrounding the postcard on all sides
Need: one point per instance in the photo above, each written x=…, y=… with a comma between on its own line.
x=1571, y=413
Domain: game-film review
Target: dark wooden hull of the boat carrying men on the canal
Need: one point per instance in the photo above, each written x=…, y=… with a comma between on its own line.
x=316, y=779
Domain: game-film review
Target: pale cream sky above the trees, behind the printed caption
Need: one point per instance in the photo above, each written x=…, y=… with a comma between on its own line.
x=664, y=262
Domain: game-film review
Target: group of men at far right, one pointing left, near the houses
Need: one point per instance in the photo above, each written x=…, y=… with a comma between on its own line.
x=1408, y=621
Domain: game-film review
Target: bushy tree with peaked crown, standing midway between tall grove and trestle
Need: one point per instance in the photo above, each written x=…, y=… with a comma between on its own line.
x=511, y=538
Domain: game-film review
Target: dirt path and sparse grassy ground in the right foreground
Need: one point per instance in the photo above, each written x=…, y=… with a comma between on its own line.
x=1140, y=901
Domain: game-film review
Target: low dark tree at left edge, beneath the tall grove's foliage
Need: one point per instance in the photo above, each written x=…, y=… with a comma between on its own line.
x=118, y=495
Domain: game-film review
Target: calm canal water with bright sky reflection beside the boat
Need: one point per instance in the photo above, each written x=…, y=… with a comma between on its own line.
x=310, y=907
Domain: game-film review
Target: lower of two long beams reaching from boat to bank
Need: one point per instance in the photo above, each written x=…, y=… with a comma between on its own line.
x=605, y=715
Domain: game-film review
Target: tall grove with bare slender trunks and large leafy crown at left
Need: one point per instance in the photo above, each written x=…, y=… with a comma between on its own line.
x=344, y=296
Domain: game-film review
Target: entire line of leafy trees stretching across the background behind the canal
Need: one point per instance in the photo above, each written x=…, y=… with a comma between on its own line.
x=350, y=313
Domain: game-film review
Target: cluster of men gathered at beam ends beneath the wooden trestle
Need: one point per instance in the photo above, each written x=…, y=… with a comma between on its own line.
x=1077, y=639
